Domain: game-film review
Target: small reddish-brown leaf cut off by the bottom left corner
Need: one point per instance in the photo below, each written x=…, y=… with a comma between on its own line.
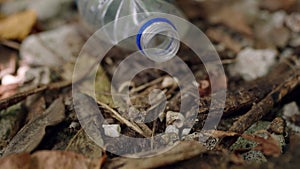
x=15, y=161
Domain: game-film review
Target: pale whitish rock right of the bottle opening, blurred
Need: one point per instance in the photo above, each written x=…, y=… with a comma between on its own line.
x=252, y=63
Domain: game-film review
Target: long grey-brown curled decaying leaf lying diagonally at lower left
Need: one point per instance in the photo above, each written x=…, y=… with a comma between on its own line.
x=32, y=133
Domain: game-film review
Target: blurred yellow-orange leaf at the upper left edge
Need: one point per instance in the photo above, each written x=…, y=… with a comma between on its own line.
x=17, y=26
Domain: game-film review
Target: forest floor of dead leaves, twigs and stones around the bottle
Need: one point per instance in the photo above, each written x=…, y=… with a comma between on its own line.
x=52, y=116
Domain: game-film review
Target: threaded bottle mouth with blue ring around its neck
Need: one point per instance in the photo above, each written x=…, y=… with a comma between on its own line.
x=158, y=39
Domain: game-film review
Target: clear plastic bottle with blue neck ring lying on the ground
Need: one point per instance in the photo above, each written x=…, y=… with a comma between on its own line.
x=157, y=33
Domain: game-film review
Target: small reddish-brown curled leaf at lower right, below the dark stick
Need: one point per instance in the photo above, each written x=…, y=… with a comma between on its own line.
x=267, y=146
